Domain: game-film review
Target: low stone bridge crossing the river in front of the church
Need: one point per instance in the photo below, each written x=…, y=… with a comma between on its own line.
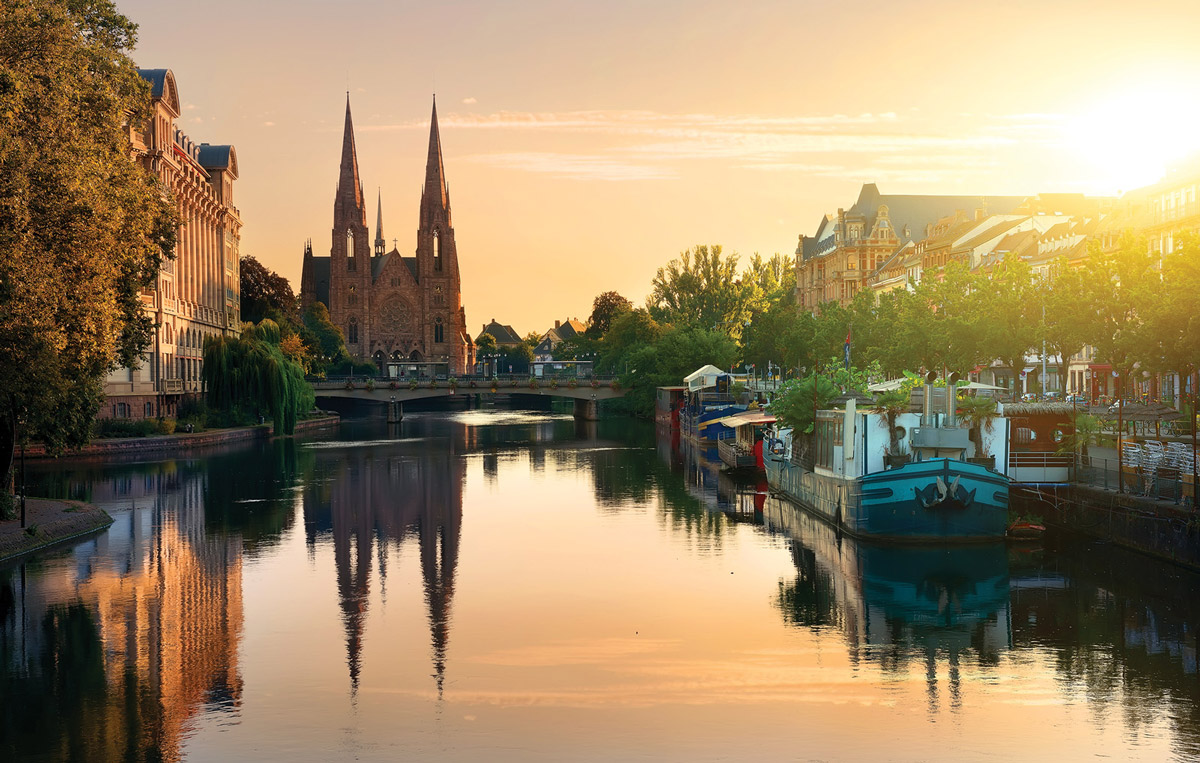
x=394, y=393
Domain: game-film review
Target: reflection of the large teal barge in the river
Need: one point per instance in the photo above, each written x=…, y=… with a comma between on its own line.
x=896, y=605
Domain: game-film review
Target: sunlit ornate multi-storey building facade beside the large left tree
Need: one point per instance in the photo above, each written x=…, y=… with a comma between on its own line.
x=197, y=295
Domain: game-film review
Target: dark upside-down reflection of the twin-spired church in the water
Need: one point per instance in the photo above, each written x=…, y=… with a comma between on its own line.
x=370, y=500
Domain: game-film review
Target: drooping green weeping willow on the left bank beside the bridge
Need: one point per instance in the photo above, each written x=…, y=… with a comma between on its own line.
x=251, y=374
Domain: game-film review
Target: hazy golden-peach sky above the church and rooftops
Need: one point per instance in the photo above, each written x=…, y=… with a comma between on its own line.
x=587, y=145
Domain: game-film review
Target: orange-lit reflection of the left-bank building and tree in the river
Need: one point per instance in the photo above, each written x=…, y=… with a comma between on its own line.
x=119, y=646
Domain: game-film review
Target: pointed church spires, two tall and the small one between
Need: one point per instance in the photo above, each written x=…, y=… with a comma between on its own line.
x=435, y=196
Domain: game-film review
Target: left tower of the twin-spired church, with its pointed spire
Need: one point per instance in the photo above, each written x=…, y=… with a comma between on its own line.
x=350, y=278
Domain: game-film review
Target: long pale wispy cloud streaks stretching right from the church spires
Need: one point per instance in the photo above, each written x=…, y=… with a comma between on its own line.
x=651, y=146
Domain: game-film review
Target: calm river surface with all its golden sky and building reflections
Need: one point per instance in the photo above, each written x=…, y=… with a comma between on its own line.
x=514, y=586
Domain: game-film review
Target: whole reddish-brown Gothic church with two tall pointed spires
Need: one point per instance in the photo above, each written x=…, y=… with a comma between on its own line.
x=404, y=314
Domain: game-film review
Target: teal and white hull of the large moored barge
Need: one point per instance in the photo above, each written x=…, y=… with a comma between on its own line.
x=935, y=501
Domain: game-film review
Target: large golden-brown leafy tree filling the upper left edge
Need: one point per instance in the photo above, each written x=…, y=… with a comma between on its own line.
x=83, y=229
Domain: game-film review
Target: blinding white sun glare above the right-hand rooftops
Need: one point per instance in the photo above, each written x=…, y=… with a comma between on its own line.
x=1129, y=140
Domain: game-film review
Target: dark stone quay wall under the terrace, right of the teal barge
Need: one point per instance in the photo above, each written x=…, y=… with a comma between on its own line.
x=1161, y=530
